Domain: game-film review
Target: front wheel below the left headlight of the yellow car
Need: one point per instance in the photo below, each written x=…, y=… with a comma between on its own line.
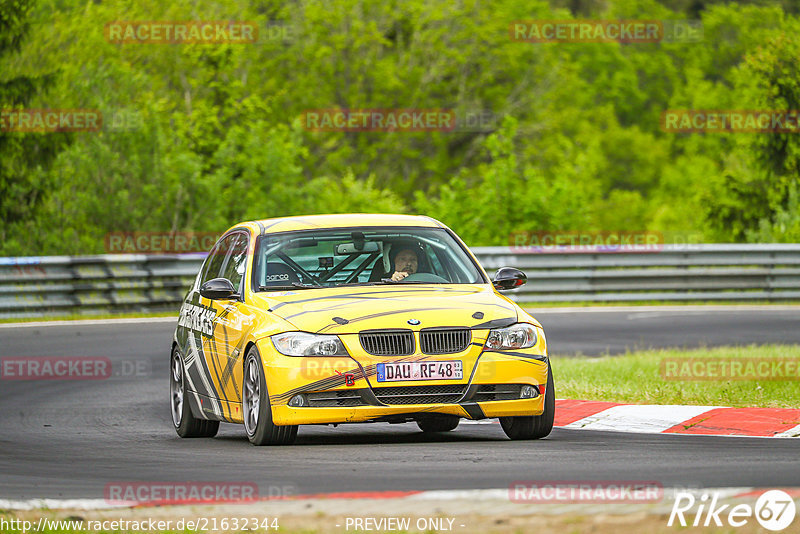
x=256, y=410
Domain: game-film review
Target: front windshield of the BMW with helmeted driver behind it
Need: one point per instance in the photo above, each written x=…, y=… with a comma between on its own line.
x=363, y=256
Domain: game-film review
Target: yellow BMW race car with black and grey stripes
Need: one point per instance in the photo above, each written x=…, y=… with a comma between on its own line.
x=332, y=319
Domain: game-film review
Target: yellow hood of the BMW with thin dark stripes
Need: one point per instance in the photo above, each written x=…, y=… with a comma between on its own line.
x=349, y=310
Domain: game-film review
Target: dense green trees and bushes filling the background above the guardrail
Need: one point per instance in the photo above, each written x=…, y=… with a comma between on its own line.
x=201, y=136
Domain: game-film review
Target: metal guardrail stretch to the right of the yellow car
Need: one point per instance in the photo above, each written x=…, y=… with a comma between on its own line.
x=673, y=273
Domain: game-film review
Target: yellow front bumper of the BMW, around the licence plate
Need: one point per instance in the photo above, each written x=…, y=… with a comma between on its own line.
x=288, y=376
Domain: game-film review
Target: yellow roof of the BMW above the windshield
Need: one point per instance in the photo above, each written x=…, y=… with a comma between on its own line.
x=339, y=220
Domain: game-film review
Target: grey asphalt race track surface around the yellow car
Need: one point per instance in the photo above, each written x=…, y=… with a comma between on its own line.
x=68, y=439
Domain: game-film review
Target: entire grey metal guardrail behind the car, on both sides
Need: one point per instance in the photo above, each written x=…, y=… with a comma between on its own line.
x=58, y=285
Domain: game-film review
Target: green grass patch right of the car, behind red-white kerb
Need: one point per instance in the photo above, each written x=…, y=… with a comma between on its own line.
x=637, y=378
